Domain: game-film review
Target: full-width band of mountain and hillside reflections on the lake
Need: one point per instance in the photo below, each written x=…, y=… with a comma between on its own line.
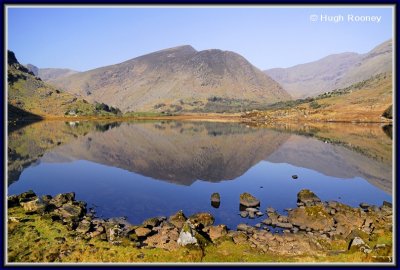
x=183, y=152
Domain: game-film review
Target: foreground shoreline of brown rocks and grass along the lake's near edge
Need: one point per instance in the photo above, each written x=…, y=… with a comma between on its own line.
x=314, y=231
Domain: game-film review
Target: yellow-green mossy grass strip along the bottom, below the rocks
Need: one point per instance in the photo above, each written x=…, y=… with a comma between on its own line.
x=37, y=238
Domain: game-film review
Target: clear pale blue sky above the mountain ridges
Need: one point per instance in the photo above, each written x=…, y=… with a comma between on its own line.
x=87, y=38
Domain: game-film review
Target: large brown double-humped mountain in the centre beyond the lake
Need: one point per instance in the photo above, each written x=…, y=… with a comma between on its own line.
x=176, y=79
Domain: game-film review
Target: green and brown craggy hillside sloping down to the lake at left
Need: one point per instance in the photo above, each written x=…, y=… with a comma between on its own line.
x=30, y=97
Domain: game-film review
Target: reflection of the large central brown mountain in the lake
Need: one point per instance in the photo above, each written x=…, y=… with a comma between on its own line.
x=176, y=153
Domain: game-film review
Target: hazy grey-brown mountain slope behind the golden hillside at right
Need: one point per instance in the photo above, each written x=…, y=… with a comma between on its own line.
x=334, y=71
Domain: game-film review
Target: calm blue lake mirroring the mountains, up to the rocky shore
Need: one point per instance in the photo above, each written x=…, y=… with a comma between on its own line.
x=155, y=168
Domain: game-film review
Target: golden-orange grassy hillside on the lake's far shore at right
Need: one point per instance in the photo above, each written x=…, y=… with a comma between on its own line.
x=365, y=101
